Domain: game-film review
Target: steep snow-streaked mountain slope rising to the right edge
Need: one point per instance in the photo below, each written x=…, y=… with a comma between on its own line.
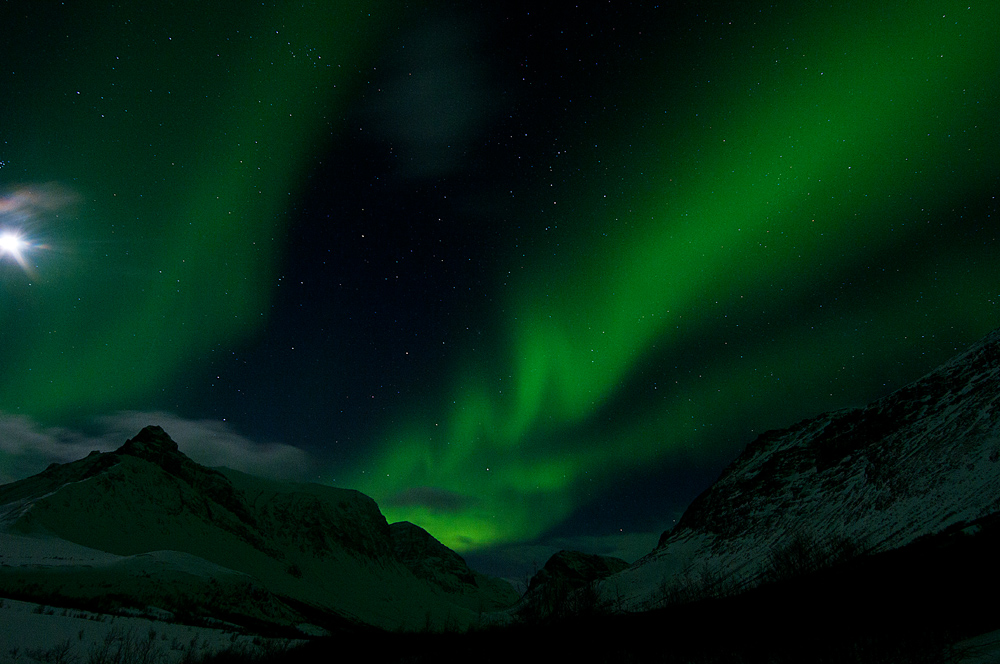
x=857, y=481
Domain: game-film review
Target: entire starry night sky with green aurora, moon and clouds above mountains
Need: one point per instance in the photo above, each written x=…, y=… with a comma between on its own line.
x=529, y=278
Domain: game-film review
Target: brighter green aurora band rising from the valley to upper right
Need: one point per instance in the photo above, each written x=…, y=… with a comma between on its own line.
x=793, y=186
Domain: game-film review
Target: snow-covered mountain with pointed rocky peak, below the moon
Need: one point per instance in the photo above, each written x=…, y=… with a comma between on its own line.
x=145, y=526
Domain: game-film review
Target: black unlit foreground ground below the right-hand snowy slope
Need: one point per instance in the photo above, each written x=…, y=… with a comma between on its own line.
x=909, y=605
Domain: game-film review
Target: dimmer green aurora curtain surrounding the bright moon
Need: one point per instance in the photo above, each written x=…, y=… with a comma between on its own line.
x=185, y=141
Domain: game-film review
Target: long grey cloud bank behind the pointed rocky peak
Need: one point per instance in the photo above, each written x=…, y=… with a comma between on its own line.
x=27, y=447
